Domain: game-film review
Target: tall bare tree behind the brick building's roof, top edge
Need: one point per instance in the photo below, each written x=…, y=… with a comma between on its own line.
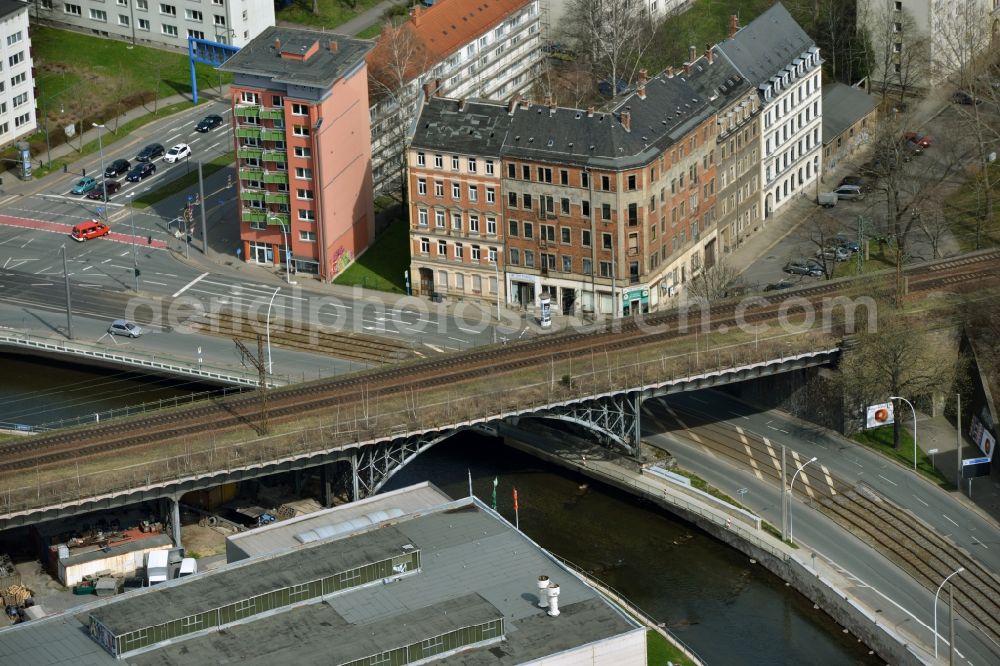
x=613, y=34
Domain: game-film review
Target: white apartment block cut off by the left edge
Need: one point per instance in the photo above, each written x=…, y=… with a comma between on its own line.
x=17, y=85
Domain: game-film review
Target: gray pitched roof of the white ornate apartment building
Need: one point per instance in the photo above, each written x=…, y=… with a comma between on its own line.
x=767, y=45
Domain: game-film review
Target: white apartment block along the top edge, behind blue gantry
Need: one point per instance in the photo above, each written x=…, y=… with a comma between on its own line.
x=161, y=23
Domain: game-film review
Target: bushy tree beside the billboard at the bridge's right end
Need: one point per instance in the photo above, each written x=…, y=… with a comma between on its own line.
x=904, y=357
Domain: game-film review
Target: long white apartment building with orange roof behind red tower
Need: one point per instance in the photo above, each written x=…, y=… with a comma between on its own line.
x=488, y=51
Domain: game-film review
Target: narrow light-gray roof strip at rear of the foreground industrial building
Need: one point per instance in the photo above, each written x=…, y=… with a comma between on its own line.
x=281, y=535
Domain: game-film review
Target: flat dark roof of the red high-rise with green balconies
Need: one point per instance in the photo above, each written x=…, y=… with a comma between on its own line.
x=262, y=56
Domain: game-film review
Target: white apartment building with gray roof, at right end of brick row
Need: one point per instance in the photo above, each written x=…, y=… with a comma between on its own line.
x=781, y=60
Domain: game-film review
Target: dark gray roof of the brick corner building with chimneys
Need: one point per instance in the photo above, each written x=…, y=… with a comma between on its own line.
x=672, y=106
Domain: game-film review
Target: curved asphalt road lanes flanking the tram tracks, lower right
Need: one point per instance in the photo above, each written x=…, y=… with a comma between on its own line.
x=879, y=582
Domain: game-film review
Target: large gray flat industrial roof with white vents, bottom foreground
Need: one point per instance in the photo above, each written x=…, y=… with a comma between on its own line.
x=474, y=567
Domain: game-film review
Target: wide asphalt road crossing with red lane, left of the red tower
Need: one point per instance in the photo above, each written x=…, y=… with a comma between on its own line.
x=33, y=228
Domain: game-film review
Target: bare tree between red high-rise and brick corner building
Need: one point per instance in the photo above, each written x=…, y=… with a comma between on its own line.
x=395, y=71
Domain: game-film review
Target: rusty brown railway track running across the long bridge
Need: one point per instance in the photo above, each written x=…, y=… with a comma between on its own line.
x=292, y=402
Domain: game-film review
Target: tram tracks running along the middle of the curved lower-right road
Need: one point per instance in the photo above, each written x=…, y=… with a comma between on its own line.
x=894, y=532
